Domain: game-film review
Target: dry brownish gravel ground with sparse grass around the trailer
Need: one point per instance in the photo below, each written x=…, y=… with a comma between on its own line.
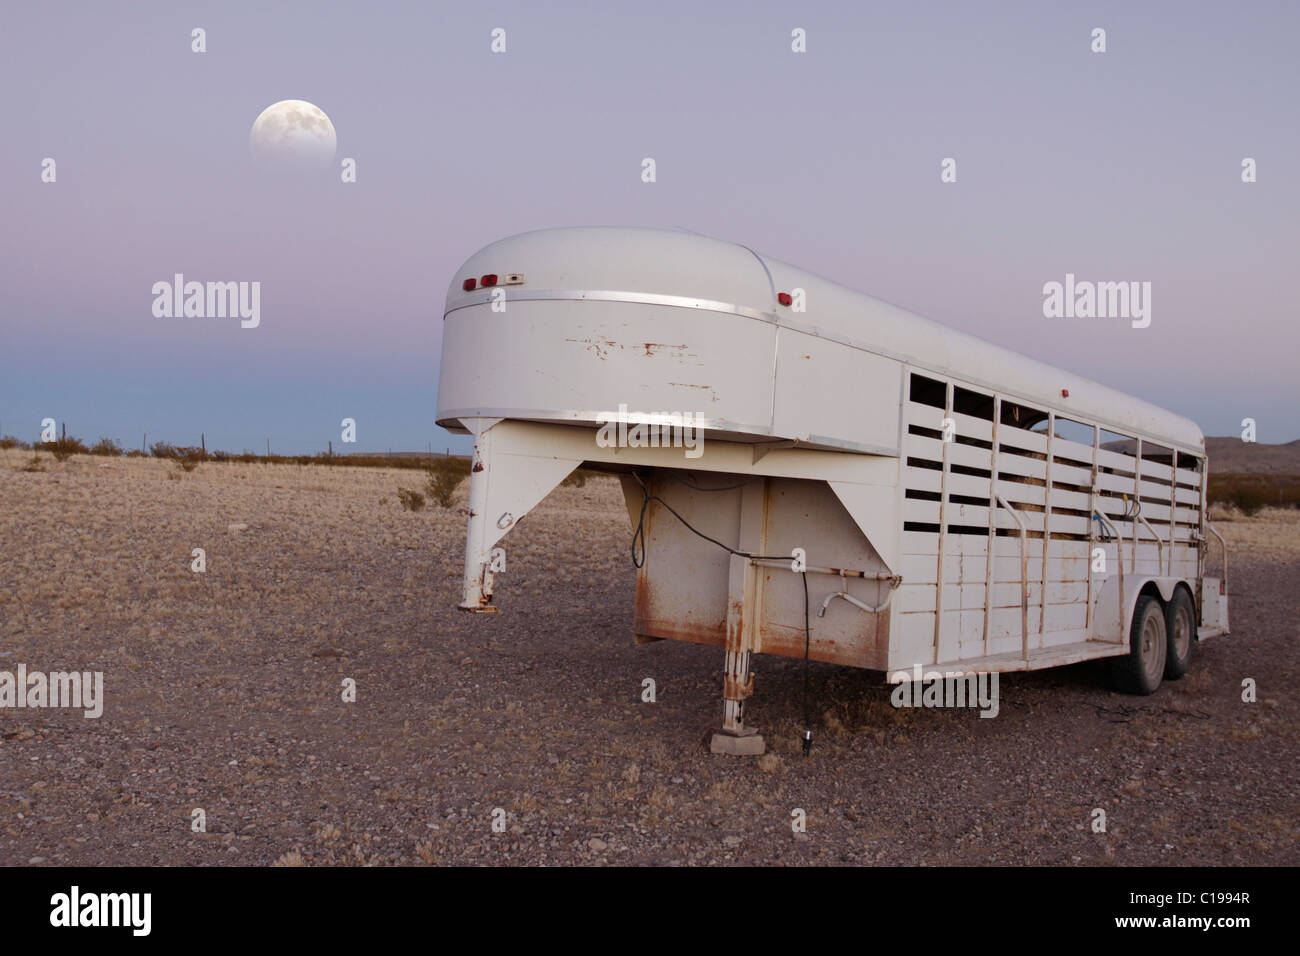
x=224, y=693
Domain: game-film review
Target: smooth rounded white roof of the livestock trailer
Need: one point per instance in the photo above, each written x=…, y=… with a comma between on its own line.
x=681, y=263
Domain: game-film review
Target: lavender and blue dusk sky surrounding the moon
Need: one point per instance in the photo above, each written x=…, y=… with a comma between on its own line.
x=1124, y=166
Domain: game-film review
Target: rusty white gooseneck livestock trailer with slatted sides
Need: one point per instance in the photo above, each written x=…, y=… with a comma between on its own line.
x=785, y=442
